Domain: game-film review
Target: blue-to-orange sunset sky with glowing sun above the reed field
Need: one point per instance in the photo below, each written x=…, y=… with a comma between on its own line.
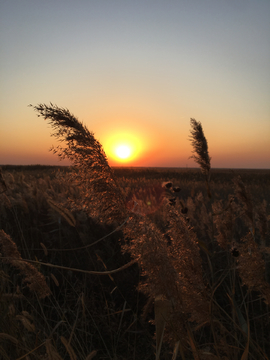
x=135, y=72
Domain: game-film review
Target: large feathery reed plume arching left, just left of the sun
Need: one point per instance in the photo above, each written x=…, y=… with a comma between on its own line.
x=102, y=196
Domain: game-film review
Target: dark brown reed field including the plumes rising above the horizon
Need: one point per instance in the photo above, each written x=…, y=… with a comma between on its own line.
x=132, y=263
